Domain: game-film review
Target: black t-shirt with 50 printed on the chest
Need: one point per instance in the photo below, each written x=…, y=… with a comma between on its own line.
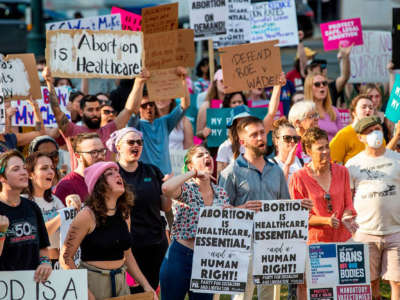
x=26, y=235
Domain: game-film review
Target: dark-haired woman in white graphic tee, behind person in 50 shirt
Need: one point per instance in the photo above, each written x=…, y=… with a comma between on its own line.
x=41, y=177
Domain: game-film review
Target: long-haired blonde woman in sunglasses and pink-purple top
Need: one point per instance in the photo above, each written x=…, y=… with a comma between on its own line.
x=316, y=89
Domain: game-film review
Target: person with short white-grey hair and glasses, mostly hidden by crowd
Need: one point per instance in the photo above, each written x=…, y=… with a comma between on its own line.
x=303, y=115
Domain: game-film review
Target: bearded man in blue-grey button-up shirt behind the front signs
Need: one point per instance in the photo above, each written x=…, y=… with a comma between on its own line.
x=251, y=176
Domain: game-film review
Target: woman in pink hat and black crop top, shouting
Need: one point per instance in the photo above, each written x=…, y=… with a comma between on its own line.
x=101, y=230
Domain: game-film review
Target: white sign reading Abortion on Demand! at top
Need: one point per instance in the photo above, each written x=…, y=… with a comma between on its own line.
x=208, y=18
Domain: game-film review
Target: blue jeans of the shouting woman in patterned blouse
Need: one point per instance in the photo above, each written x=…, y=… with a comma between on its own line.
x=175, y=273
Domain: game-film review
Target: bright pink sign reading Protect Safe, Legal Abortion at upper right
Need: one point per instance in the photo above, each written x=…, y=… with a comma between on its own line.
x=341, y=33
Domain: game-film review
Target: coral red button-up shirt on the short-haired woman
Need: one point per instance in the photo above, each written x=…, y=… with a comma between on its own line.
x=303, y=186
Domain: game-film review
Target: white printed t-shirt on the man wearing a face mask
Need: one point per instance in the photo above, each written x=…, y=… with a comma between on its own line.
x=376, y=181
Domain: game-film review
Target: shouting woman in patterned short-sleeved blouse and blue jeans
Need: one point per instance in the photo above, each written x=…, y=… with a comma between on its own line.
x=193, y=190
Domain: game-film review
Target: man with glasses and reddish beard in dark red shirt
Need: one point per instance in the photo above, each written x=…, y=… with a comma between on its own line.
x=88, y=149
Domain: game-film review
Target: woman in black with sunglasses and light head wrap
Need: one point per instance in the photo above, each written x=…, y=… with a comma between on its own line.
x=149, y=242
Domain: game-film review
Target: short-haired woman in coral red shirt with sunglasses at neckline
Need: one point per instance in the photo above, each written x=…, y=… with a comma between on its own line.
x=328, y=186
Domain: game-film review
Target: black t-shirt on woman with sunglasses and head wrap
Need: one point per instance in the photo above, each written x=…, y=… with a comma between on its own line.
x=147, y=226
